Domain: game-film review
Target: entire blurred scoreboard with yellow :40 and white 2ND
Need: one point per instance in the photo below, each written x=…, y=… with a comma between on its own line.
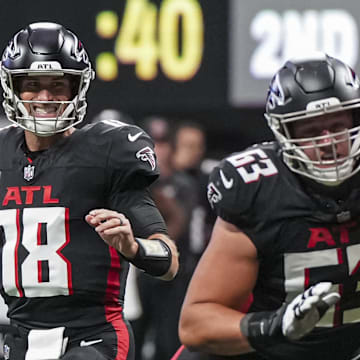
x=192, y=55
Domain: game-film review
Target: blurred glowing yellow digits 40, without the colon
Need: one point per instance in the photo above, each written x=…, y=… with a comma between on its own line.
x=142, y=42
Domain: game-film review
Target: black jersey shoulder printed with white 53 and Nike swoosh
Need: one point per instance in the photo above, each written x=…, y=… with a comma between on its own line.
x=238, y=180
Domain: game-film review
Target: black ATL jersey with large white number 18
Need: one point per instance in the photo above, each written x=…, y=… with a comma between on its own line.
x=56, y=270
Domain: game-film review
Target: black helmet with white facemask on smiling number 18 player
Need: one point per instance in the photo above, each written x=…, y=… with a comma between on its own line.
x=49, y=49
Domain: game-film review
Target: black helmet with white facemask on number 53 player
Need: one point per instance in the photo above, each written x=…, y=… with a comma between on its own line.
x=306, y=88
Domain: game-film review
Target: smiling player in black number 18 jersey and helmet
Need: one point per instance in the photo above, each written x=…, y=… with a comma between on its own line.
x=75, y=208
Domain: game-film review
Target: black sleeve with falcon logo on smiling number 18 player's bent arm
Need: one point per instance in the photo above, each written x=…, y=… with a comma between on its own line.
x=132, y=168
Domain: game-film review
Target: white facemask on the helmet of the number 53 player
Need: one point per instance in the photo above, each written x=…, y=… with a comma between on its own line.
x=331, y=169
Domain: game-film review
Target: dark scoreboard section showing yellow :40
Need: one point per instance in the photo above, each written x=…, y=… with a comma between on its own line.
x=162, y=54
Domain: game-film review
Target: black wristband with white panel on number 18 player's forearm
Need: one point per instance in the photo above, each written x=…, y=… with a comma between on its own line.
x=153, y=256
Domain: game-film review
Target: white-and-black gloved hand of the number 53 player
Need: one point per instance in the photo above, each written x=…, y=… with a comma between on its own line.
x=305, y=311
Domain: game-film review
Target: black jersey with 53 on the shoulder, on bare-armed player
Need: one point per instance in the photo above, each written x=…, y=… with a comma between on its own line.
x=301, y=237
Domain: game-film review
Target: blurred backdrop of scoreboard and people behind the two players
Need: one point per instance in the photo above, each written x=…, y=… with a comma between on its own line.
x=194, y=74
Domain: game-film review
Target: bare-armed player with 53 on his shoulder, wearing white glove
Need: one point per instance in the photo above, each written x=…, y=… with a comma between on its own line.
x=279, y=279
